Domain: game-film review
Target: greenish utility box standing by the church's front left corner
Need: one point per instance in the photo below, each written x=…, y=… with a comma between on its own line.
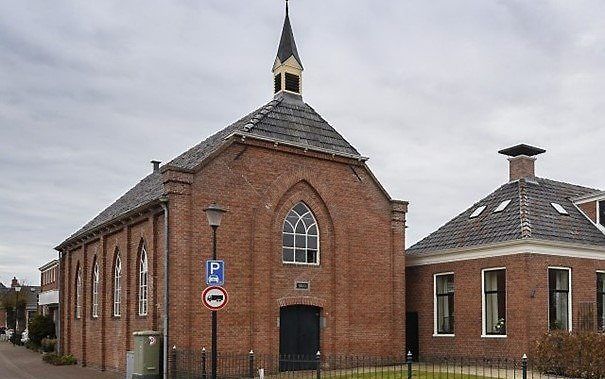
x=147, y=348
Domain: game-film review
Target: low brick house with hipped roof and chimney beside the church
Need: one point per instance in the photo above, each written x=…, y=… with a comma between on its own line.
x=526, y=259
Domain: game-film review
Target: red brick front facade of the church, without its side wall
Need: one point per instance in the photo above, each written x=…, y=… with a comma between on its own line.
x=360, y=253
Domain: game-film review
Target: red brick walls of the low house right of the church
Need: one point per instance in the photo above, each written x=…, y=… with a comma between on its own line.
x=527, y=302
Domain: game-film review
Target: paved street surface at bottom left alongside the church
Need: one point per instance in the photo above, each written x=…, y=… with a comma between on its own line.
x=16, y=362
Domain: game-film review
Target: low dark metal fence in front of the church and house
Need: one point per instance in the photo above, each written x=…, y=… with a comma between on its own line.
x=196, y=365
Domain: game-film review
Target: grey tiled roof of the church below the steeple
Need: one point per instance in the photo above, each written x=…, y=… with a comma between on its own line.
x=286, y=118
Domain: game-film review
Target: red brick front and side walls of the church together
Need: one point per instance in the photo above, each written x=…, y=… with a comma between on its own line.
x=359, y=284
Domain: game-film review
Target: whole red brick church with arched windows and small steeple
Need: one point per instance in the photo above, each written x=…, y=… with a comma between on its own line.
x=308, y=229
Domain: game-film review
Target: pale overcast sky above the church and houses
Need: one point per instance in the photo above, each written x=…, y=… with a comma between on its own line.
x=91, y=91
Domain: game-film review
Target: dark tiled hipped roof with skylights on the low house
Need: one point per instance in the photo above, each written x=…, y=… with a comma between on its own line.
x=529, y=215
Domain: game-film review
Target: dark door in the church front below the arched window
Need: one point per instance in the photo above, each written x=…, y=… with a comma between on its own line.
x=298, y=337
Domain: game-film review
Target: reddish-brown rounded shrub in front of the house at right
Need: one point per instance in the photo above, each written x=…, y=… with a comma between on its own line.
x=578, y=355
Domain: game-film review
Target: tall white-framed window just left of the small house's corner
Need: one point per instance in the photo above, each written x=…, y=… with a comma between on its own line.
x=494, y=297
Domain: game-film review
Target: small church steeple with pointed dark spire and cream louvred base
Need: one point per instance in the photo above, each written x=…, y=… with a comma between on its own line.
x=287, y=69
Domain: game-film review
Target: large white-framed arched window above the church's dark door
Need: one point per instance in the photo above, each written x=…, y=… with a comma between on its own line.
x=300, y=237
